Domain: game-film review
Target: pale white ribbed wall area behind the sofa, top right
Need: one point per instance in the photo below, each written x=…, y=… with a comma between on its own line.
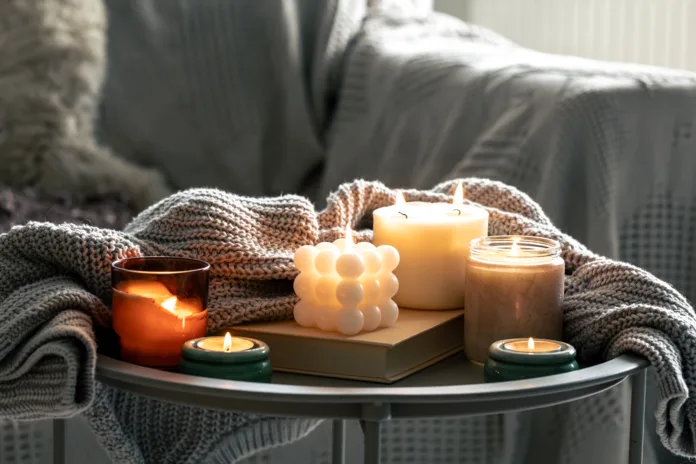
x=658, y=32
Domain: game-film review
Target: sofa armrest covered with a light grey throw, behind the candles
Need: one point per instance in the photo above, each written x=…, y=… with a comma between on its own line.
x=601, y=146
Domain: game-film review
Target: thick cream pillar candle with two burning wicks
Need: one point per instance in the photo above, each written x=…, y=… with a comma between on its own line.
x=433, y=242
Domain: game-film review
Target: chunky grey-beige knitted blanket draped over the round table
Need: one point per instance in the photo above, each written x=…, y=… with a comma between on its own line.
x=55, y=286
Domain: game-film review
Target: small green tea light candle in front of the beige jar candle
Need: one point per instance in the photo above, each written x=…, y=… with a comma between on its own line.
x=518, y=359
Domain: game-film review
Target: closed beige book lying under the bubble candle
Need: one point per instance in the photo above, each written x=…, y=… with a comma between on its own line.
x=417, y=340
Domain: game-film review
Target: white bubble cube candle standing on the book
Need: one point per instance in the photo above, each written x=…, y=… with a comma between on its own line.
x=346, y=287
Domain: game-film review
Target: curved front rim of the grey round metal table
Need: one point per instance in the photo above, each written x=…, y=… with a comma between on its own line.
x=112, y=371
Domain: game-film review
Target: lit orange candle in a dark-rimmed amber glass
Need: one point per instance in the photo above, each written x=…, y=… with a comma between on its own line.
x=158, y=304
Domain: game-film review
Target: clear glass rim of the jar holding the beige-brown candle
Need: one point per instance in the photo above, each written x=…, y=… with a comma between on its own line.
x=499, y=246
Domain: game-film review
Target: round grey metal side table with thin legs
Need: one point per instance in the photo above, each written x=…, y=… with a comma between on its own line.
x=452, y=387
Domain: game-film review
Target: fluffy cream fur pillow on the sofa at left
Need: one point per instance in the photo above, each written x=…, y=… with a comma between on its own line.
x=52, y=65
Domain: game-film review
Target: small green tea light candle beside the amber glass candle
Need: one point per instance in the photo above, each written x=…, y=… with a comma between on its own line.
x=227, y=357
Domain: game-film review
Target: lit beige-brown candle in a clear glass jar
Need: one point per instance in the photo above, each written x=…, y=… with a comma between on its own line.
x=513, y=288
